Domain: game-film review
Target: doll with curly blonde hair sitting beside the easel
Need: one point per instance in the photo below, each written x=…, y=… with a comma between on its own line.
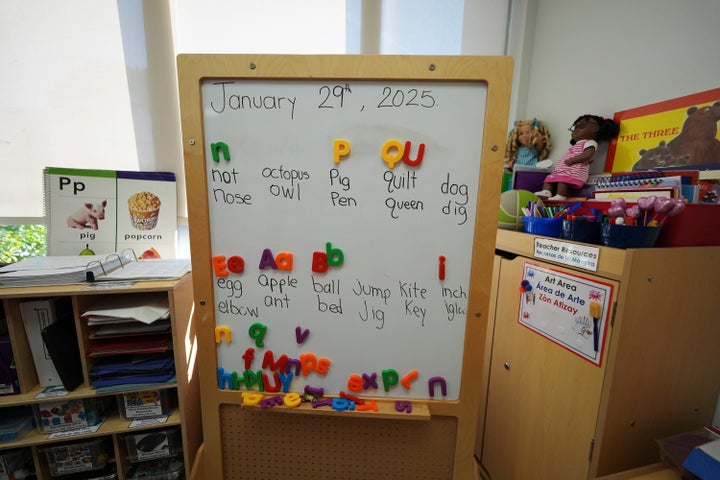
x=528, y=143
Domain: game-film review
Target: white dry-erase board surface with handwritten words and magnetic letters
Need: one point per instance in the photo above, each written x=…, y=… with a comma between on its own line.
x=276, y=184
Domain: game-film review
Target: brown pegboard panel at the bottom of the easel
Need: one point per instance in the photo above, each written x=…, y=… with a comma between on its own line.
x=330, y=447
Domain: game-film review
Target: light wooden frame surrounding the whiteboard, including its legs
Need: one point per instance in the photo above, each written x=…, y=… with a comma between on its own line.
x=495, y=73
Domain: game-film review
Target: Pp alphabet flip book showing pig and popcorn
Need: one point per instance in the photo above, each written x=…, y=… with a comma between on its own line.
x=104, y=211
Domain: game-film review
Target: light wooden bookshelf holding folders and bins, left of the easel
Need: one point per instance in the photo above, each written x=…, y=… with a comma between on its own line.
x=185, y=413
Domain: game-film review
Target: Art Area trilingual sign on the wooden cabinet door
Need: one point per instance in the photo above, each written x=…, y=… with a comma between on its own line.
x=570, y=310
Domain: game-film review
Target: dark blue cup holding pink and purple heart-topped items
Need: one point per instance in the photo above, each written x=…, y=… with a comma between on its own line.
x=639, y=225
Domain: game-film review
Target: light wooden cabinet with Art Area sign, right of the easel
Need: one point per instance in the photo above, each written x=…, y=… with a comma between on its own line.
x=551, y=414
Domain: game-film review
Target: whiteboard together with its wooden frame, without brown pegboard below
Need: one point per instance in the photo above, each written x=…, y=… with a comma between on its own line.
x=342, y=221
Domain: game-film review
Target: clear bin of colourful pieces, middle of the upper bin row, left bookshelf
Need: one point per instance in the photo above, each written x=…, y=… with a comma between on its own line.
x=71, y=414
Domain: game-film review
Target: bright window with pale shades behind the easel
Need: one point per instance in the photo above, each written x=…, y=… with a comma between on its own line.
x=86, y=85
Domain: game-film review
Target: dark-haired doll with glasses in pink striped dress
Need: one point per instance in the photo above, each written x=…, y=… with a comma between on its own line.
x=573, y=168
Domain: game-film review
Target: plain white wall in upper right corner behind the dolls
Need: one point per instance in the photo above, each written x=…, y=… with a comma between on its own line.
x=599, y=57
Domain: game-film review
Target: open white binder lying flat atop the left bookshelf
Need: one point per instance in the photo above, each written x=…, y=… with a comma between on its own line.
x=66, y=270
